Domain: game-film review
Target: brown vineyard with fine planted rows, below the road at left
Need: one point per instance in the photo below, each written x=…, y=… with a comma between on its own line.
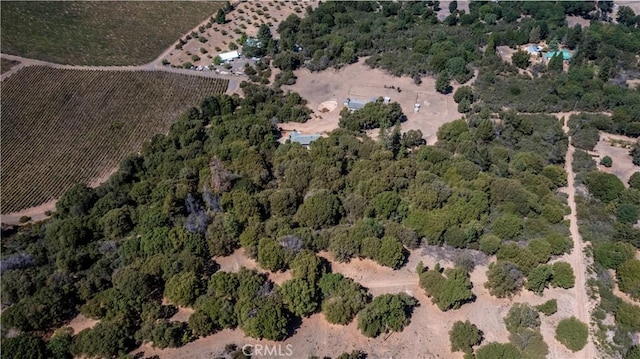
x=61, y=127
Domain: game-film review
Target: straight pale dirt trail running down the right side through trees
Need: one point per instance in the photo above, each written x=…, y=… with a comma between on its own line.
x=577, y=256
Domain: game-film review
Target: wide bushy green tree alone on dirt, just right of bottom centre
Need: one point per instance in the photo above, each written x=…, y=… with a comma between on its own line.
x=387, y=312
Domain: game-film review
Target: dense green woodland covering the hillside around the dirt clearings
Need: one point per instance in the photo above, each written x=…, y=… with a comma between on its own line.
x=130, y=251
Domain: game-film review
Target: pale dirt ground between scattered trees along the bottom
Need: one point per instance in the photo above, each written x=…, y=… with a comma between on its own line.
x=425, y=337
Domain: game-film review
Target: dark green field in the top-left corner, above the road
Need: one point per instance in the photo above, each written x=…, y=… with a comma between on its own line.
x=97, y=32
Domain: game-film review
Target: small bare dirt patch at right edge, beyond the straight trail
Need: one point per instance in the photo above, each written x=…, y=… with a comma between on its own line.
x=617, y=147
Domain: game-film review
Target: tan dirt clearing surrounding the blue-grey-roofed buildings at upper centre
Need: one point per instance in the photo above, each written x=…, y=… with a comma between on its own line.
x=359, y=82
